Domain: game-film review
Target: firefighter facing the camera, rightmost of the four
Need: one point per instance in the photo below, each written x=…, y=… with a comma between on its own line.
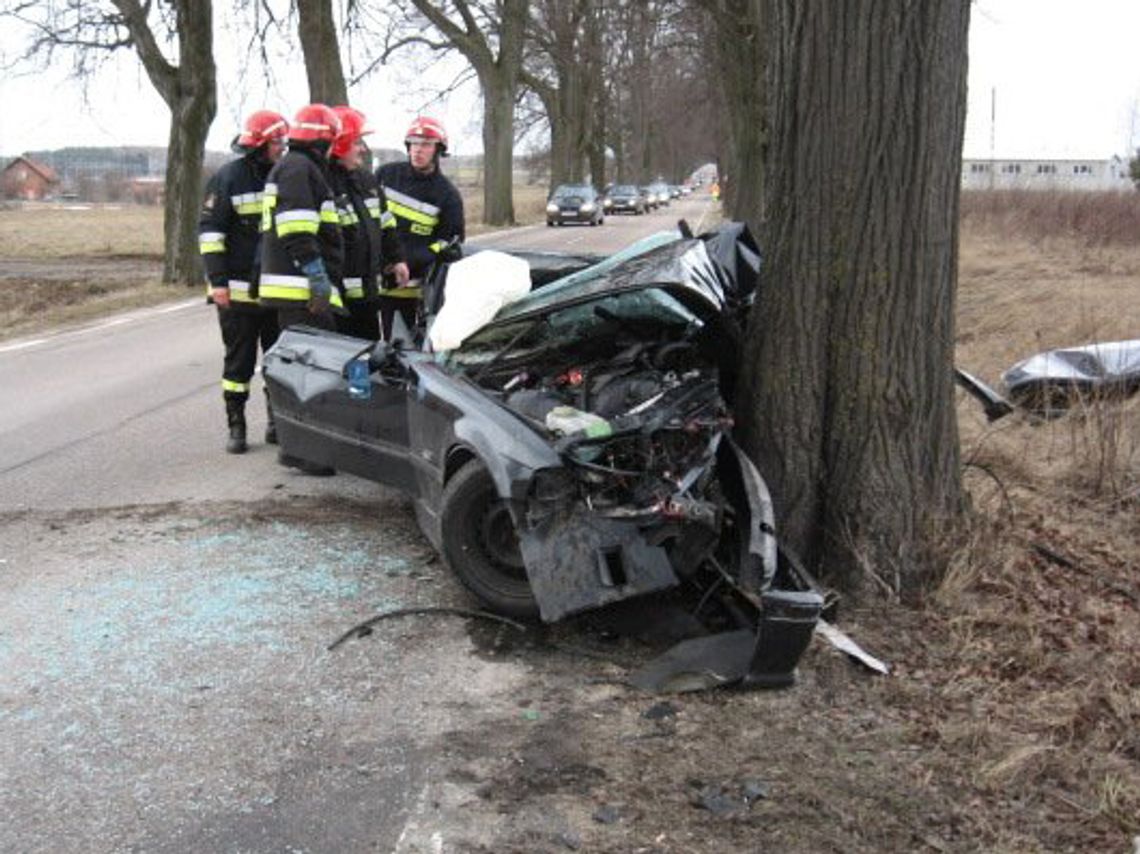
x=428, y=210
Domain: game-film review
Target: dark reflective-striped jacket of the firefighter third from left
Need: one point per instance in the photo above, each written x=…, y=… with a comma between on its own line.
x=369, y=231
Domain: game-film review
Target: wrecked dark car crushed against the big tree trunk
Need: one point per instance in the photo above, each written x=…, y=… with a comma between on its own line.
x=575, y=450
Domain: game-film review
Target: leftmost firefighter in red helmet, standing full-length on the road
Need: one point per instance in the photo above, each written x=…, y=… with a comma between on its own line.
x=229, y=235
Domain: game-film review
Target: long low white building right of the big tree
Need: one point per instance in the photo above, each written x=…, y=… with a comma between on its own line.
x=1064, y=175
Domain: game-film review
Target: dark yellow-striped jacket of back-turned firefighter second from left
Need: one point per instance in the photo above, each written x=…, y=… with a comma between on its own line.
x=299, y=224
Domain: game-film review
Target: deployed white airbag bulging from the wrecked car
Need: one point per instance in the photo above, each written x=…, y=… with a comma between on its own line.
x=477, y=288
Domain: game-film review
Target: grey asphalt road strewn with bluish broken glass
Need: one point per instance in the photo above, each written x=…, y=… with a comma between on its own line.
x=166, y=612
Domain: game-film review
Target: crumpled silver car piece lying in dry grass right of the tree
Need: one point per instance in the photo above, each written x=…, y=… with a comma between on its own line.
x=1057, y=379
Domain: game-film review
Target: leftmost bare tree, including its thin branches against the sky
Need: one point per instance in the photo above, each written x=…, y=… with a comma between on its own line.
x=89, y=31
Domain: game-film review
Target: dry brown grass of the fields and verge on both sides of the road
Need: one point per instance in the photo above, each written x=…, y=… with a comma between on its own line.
x=1014, y=709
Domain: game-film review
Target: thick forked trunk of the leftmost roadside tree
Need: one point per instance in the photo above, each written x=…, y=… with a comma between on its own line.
x=191, y=92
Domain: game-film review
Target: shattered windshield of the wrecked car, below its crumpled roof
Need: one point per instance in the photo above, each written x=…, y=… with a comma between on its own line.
x=642, y=313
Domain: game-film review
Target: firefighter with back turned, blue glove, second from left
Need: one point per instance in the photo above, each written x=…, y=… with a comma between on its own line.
x=302, y=243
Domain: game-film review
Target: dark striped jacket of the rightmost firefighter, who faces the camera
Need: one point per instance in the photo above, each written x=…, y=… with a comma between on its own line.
x=429, y=214
